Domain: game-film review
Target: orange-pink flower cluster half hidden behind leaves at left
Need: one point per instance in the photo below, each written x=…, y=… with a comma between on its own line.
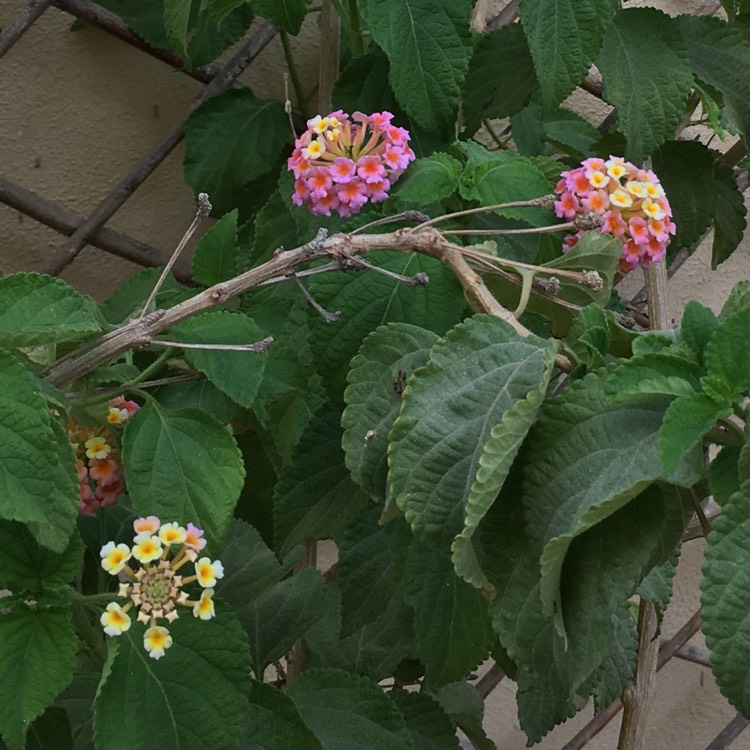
x=99, y=470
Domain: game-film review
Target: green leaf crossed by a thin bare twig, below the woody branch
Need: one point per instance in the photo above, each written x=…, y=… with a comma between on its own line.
x=238, y=374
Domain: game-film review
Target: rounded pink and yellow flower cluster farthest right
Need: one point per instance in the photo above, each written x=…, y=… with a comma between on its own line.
x=630, y=200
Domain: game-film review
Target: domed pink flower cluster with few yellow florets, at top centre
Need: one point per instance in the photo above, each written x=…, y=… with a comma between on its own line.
x=341, y=162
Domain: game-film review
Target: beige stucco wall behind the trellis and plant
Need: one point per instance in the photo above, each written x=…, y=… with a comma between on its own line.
x=78, y=110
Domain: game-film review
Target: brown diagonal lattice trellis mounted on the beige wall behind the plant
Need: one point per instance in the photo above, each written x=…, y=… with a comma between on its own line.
x=81, y=231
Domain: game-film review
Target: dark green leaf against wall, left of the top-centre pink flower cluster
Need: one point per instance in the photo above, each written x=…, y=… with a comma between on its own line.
x=231, y=139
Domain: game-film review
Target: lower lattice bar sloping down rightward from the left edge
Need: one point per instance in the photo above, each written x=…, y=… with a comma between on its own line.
x=66, y=222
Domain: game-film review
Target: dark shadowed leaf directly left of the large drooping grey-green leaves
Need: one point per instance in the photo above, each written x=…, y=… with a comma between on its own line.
x=315, y=497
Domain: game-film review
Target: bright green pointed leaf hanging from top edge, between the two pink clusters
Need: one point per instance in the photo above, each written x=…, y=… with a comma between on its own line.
x=564, y=38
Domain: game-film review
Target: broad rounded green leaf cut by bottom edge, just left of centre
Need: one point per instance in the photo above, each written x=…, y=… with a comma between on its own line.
x=346, y=710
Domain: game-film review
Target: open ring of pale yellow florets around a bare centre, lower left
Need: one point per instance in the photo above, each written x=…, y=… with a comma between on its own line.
x=154, y=588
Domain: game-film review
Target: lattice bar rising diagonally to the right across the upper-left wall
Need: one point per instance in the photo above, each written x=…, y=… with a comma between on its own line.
x=127, y=186
